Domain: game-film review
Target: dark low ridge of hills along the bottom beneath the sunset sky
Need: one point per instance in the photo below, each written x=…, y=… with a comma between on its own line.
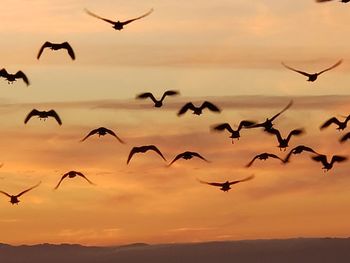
x=298, y=250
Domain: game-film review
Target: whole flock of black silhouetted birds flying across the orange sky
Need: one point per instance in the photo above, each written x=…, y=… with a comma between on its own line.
x=267, y=125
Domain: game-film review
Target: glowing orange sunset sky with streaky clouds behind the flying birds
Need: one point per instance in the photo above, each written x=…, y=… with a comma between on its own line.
x=227, y=52
